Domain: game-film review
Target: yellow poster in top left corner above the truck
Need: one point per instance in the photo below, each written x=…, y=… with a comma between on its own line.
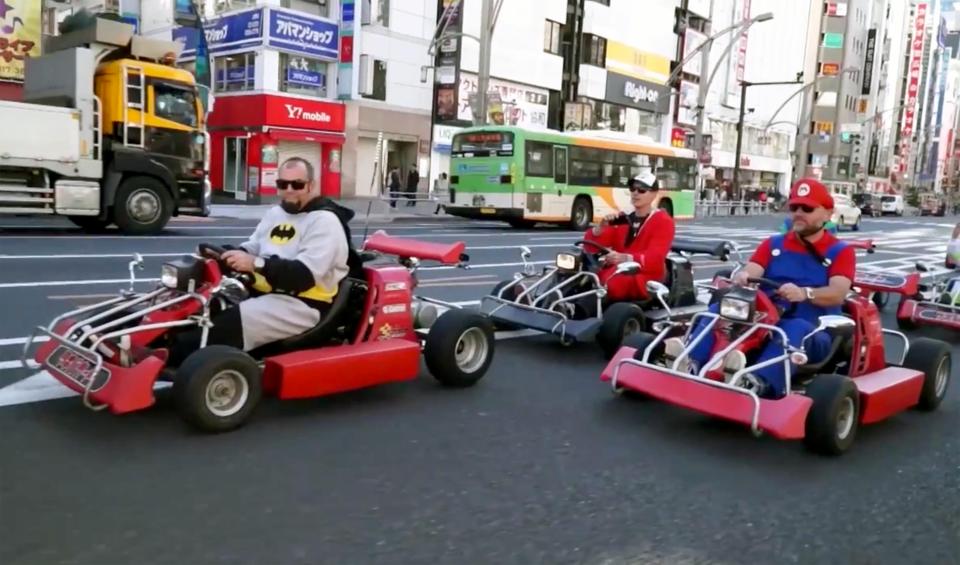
x=19, y=36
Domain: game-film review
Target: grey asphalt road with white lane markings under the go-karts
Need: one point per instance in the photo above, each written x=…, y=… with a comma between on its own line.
x=537, y=464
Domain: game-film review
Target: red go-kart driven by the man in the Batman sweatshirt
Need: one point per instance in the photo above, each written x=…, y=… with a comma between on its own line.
x=114, y=352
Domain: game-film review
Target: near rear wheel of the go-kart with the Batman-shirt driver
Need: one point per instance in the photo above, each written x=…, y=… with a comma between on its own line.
x=459, y=348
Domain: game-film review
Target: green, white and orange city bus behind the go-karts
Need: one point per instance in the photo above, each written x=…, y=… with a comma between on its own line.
x=523, y=176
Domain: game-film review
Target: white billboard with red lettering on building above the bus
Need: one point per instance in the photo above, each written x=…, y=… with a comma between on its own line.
x=521, y=105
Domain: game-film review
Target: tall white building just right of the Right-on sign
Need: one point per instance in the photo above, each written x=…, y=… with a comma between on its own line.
x=769, y=51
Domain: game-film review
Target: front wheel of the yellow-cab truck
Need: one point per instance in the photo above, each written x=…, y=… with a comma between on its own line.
x=143, y=206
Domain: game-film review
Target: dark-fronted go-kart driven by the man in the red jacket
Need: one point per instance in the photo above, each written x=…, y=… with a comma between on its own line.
x=567, y=299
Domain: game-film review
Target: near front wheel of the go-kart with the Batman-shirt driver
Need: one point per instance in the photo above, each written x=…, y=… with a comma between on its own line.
x=217, y=388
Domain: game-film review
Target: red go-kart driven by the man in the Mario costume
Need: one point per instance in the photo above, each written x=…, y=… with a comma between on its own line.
x=826, y=402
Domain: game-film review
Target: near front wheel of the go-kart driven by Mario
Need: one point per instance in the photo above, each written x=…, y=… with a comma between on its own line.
x=834, y=417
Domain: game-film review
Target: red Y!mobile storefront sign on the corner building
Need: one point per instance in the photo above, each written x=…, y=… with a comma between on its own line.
x=273, y=110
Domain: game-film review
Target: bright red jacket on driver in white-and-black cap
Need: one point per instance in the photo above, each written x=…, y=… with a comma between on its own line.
x=649, y=246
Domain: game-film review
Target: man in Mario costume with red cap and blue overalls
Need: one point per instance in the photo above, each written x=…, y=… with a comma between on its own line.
x=815, y=271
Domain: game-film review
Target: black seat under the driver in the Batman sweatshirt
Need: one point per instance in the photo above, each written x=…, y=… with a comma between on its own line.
x=348, y=301
